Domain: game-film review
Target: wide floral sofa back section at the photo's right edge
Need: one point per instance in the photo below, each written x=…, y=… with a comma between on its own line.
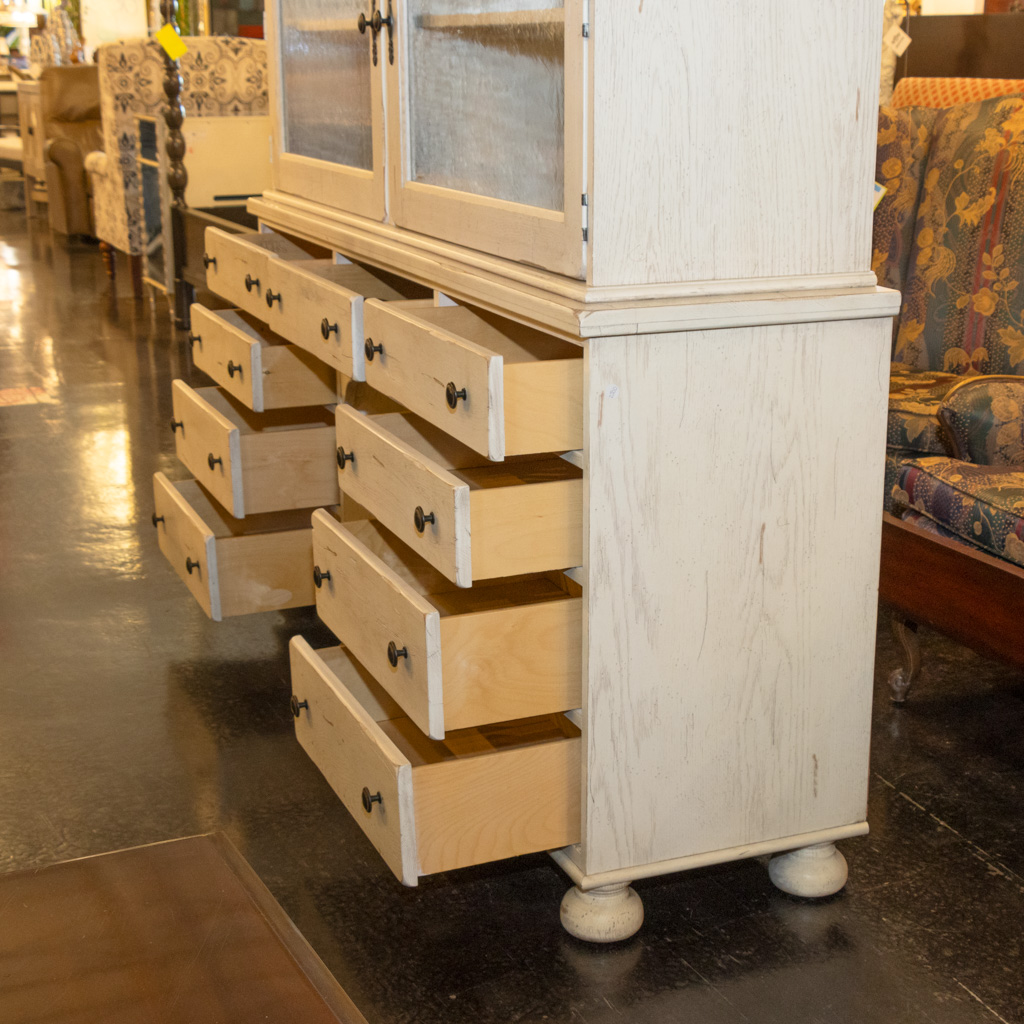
x=963, y=302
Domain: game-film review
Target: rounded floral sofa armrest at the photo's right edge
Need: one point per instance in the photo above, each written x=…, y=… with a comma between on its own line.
x=985, y=419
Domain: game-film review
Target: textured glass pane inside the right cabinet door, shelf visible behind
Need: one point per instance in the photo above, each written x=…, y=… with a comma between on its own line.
x=487, y=98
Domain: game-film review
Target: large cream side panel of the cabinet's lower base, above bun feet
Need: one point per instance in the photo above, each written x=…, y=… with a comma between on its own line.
x=735, y=523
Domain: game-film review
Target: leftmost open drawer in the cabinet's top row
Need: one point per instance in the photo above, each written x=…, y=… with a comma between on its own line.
x=237, y=265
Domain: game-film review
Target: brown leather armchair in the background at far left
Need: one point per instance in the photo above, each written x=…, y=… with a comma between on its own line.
x=70, y=108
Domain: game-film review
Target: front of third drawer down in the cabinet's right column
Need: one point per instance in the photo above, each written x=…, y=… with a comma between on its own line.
x=369, y=608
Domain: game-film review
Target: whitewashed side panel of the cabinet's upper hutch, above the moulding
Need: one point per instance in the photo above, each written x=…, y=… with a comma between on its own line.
x=756, y=168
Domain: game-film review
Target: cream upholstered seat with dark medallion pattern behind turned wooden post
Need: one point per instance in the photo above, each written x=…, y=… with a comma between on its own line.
x=222, y=76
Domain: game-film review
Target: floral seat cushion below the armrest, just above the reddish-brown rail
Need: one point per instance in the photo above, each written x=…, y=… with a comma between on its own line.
x=984, y=505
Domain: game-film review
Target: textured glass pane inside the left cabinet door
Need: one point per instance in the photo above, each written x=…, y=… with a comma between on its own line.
x=326, y=70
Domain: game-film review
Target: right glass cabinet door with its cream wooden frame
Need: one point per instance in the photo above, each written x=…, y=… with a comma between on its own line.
x=486, y=125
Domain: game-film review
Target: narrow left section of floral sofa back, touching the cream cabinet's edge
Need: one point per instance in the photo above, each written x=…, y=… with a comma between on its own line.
x=905, y=138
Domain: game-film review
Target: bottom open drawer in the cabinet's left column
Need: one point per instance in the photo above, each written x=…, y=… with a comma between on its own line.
x=233, y=567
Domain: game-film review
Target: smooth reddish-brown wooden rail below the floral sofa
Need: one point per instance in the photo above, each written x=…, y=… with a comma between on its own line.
x=965, y=593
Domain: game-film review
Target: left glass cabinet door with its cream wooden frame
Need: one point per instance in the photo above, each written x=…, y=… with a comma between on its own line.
x=329, y=125
